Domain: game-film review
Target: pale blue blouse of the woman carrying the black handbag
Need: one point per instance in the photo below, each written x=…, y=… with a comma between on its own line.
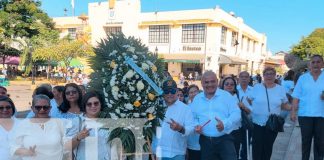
x=259, y=108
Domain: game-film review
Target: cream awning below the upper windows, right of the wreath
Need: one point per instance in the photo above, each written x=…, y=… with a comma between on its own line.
x=183, y=58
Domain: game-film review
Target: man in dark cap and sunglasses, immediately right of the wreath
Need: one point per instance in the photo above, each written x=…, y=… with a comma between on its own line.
x=178, y=123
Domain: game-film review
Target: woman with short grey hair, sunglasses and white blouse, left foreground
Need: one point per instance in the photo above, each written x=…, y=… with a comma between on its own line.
x=40, y=137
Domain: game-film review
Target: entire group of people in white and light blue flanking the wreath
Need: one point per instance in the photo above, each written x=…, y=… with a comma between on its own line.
x=205, y=126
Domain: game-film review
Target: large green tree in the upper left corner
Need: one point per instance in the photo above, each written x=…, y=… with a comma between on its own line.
x=23, y=21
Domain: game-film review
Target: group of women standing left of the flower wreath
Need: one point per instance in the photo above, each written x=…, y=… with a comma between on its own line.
x=57, y=126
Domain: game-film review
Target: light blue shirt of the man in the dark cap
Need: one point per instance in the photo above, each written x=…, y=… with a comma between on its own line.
x=169, y=143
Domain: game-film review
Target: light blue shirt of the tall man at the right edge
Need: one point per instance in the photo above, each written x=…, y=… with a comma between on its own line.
x=308, y=92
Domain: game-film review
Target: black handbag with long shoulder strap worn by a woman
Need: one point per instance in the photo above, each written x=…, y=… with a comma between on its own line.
x=275, y=122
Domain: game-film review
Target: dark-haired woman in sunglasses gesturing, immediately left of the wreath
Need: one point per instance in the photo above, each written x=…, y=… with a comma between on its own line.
x=92, y=104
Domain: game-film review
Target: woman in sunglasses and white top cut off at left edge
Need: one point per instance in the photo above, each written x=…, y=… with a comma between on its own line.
x=8, y=125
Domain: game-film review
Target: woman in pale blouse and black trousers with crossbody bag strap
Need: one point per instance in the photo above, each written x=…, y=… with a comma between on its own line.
x=265, y=98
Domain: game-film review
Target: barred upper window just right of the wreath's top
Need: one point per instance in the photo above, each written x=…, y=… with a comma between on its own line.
x=159, y=34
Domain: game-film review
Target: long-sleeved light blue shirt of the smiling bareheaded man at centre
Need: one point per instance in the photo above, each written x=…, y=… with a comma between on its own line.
x=223, y=106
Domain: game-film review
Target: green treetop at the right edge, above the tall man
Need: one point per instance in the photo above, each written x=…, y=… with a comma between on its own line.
x=313, y=44
